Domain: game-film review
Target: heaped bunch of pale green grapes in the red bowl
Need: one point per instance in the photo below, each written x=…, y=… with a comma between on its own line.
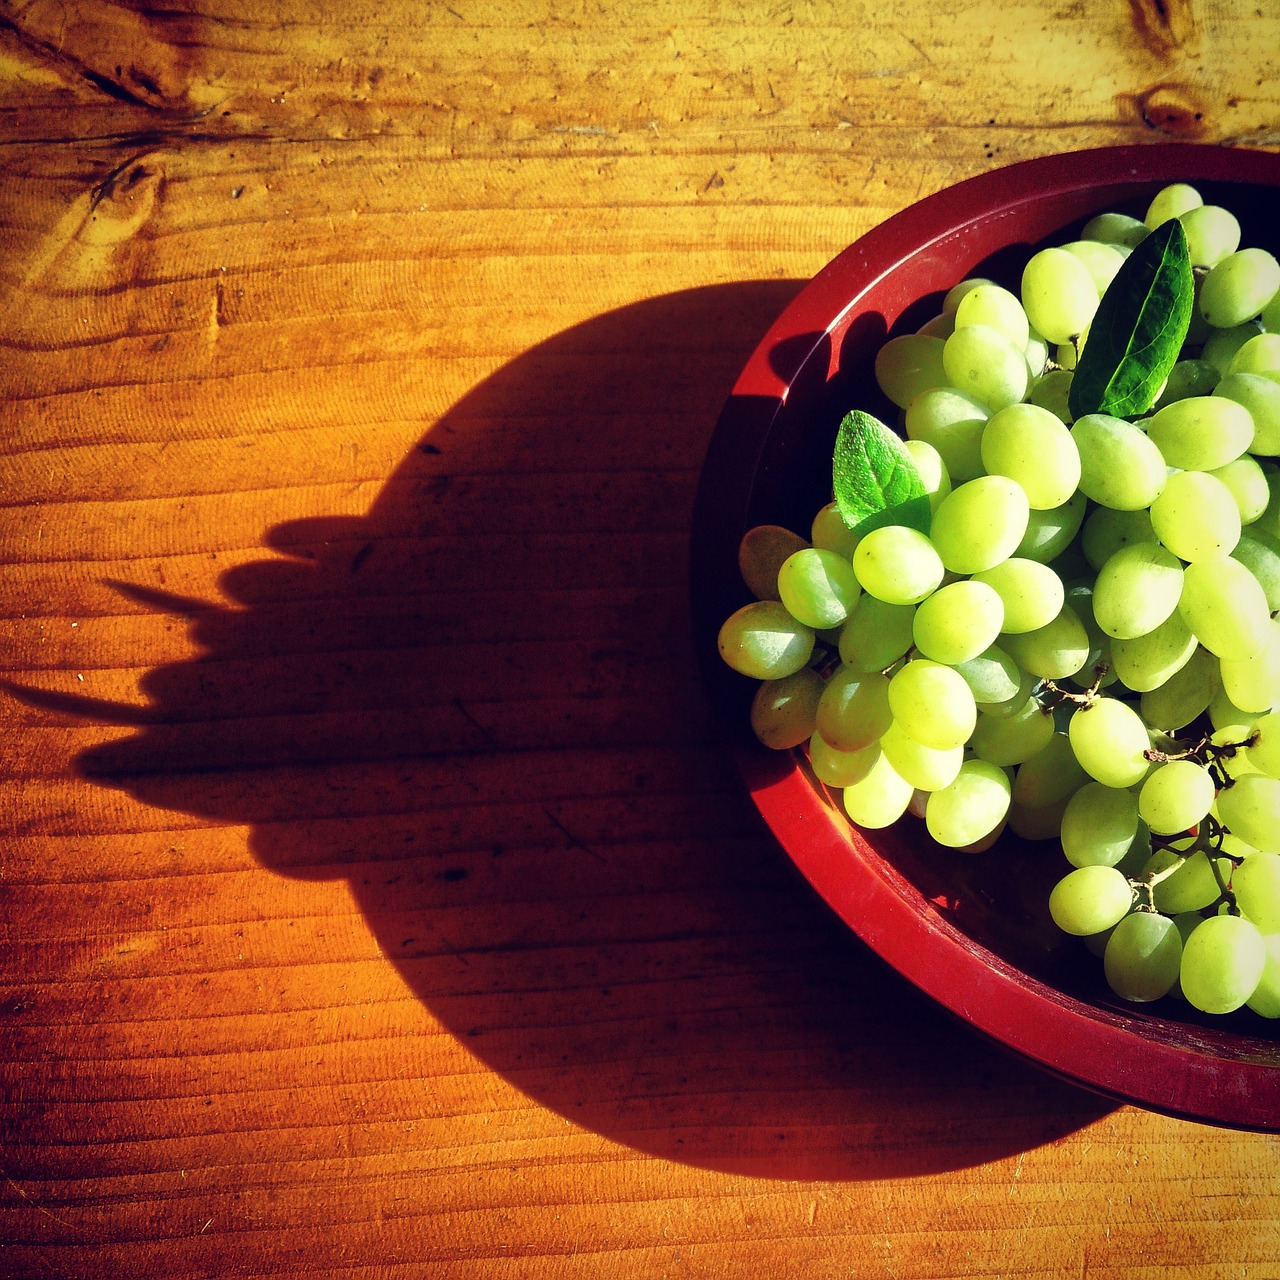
x=1085, y=647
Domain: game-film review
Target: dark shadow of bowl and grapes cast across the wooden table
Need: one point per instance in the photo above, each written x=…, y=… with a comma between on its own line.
x=481, y=706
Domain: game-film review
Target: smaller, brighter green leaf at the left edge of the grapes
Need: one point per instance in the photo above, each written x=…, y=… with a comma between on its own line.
x=875, y=478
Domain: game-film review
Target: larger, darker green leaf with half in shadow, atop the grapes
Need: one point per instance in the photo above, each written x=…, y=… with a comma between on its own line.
x=1139, y=330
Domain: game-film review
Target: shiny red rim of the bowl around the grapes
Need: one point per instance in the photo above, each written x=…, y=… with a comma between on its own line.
x=1178, y=1069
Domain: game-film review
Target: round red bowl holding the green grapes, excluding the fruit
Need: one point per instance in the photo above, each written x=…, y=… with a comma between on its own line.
x=973, y=931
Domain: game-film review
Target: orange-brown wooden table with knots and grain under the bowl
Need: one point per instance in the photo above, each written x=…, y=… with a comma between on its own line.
x=377, y=900
